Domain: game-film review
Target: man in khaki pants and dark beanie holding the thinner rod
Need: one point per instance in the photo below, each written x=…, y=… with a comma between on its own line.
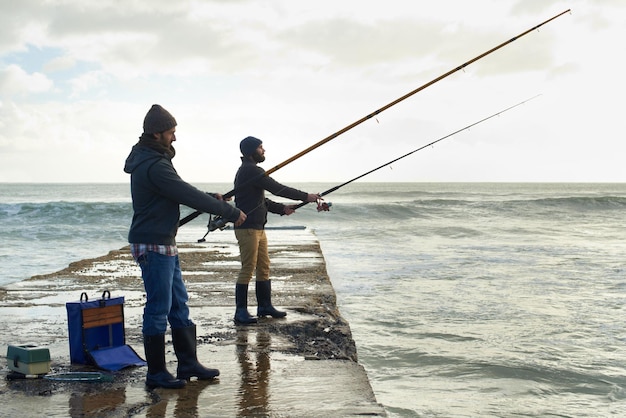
x=250, y=185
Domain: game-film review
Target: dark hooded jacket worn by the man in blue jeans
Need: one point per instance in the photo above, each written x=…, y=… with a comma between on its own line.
x=157, y=191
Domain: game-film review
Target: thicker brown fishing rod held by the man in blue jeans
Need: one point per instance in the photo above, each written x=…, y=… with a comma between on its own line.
x=195, y=214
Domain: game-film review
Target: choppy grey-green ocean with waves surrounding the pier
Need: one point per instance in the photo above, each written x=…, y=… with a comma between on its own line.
x=465, y=300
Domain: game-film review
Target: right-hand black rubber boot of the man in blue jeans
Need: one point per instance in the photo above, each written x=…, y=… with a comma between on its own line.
x=185, y=347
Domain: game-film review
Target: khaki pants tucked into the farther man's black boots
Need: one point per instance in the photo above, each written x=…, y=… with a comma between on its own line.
x=254, y=255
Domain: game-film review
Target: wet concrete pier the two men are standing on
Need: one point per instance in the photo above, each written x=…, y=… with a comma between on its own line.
x=304, y=365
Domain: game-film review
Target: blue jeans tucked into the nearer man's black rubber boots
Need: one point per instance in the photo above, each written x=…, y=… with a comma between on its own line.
x=166, y=295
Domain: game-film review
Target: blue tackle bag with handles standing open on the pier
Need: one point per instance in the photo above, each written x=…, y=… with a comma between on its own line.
x=96, y=333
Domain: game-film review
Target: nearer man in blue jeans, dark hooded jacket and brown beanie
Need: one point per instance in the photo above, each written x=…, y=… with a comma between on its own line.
x=157, y=192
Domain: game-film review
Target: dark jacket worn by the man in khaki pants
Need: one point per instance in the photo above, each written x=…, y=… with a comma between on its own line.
x=250, y=185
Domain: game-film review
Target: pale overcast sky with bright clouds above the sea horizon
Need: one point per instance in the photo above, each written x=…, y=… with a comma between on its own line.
x=77, y=78
